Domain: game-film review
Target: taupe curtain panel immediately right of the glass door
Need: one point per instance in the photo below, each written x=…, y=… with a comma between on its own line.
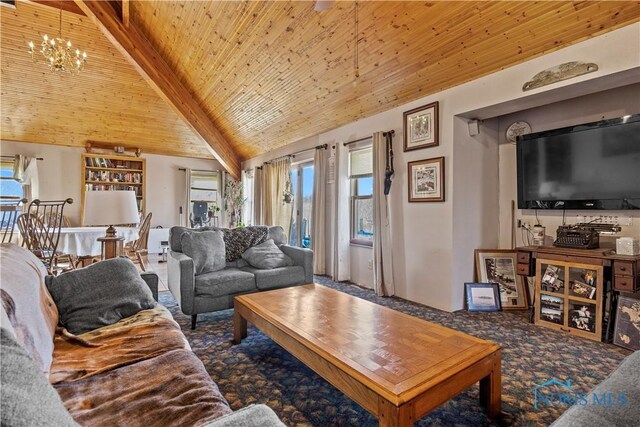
x=319, y=205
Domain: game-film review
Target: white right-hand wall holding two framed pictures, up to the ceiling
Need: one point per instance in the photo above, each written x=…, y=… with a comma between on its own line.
x=433, y=242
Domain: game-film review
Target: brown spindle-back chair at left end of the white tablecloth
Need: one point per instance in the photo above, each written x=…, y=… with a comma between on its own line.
x=42, y=237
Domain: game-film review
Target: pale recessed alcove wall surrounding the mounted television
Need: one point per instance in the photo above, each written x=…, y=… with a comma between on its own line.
x=602, y=105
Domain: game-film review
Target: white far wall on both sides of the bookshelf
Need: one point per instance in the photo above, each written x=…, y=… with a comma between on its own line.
x=60, y=177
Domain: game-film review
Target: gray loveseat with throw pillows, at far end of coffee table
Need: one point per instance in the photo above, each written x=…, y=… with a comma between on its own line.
x=214, y=290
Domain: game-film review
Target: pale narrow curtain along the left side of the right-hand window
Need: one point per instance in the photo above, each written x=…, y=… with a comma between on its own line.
x=341, y=220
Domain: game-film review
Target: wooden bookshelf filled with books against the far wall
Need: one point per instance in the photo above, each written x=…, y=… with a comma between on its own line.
x=101, y=172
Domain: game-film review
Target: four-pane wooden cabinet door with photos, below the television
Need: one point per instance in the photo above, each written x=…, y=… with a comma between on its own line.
x=569, y=297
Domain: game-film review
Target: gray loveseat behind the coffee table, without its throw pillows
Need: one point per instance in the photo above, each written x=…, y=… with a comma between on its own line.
x=214, y=291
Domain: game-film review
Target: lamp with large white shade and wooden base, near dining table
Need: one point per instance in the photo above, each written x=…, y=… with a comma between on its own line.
x=111, y=208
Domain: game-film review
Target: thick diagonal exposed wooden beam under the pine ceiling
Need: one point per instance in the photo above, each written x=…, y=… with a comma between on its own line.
x=154, y=69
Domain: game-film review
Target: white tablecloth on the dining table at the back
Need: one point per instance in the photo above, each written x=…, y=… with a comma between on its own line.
x=83, y=241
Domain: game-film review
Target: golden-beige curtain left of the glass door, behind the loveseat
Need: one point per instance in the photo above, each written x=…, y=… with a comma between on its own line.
x=275, y=177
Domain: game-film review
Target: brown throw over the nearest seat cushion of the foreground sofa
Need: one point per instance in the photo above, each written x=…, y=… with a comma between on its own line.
x=170, y=389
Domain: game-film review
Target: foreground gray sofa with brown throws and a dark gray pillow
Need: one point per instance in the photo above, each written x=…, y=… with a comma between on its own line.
x=138, y=371
